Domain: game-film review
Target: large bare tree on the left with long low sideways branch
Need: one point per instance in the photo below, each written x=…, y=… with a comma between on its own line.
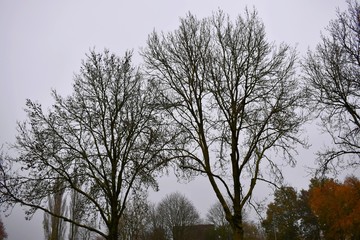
x=102, y=142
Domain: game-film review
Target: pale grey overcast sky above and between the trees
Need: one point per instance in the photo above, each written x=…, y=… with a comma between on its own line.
x=43, y=42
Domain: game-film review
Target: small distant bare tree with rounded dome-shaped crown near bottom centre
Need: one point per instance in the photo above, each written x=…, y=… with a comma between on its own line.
x=175, y=211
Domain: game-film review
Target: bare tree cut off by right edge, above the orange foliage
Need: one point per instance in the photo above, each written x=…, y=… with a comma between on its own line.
x=332, y=72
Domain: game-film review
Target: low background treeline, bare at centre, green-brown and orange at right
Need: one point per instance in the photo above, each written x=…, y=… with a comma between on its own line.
x=328, y=209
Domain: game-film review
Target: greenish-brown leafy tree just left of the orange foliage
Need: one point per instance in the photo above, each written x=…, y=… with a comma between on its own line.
x=282, y=216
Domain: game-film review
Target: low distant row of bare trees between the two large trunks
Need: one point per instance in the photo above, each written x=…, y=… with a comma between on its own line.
x=175, y=217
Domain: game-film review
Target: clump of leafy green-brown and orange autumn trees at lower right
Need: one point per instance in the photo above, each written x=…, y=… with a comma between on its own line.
x=329, y=209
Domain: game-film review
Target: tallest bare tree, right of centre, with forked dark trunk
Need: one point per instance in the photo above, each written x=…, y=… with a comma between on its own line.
x=233, y=101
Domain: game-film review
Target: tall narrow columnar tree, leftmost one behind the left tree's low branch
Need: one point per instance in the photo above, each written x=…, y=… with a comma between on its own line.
x=54, y=227
